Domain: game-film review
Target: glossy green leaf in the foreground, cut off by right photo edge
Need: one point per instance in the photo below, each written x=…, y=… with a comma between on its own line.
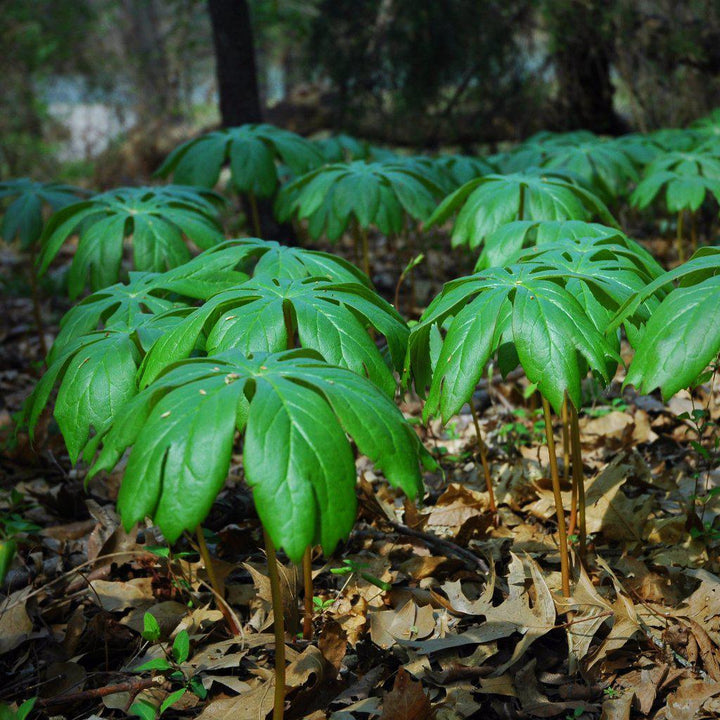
x=681, y=339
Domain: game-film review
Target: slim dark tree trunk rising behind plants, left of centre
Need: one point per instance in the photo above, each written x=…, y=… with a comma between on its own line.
x=235, y=58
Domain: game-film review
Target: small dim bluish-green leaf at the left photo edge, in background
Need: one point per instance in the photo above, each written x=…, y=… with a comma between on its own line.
x=23, y=218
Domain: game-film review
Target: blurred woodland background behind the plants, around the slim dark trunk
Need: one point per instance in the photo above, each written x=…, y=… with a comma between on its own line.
x=399, y=72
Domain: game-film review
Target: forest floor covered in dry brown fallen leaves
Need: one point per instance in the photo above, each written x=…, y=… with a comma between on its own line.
x=432, y=611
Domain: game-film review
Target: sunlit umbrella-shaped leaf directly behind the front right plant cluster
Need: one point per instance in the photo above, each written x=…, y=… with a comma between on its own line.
x=485, y=204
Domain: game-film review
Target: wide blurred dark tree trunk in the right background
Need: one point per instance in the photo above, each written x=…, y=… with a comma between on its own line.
x=582, y=56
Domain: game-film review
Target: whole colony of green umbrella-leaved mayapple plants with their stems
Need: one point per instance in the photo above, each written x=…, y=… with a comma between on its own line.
x=193, y=350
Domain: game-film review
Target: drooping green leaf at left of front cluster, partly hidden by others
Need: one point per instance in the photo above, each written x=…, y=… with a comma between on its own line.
x=97, y=375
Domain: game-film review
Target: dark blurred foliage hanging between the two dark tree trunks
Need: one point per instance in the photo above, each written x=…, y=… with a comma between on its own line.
x=410, y=57
